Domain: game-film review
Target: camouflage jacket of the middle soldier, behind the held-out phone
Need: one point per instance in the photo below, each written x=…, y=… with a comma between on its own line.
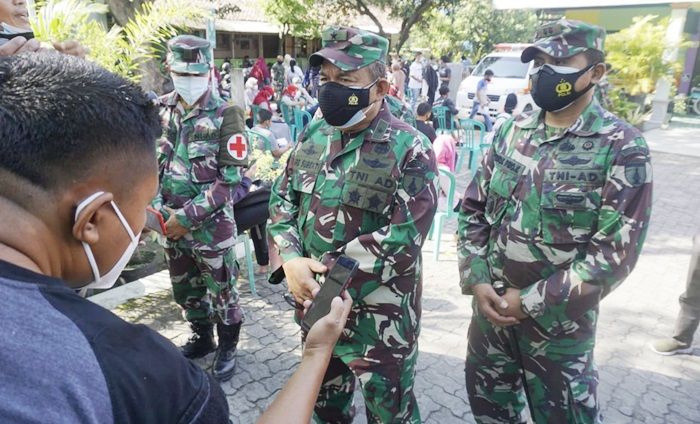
x=372, y=198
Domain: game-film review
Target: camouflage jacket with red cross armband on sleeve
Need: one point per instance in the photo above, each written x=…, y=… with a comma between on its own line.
x=198, y=173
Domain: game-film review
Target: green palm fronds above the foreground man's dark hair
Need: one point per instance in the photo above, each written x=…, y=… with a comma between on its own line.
x=119, y=49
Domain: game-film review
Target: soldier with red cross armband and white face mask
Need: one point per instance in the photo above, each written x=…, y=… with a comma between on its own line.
x=200, y=157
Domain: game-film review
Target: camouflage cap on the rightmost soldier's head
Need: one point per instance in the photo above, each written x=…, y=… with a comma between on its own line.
x=565, y=38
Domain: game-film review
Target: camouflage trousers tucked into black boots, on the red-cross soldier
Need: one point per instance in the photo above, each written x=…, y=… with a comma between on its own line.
x=204, y=284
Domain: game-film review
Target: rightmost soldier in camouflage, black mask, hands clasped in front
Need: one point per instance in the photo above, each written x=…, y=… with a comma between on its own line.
x=558, y=212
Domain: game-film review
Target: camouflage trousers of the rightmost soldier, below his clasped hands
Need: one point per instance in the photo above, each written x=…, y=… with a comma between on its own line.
x=562, y=378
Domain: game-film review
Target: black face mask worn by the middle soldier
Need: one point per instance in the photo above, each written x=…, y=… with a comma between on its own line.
x=342, y=106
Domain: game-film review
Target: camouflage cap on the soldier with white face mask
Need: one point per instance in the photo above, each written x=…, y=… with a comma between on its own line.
x=188, y=54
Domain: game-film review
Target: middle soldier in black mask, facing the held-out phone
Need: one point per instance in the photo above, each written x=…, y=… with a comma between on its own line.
x=367, y=191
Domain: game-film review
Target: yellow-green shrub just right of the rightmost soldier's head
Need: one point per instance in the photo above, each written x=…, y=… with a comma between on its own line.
x=637, y=57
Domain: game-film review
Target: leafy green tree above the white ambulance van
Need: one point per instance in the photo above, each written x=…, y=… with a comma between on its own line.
x=446, y=28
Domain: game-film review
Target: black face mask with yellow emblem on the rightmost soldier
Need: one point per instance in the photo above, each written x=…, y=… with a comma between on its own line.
x=554, y=91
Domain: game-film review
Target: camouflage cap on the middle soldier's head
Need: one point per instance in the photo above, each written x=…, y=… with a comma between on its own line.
x=350, y=48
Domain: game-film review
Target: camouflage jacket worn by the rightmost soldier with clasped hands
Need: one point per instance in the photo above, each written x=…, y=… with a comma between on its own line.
x=563, y=219
